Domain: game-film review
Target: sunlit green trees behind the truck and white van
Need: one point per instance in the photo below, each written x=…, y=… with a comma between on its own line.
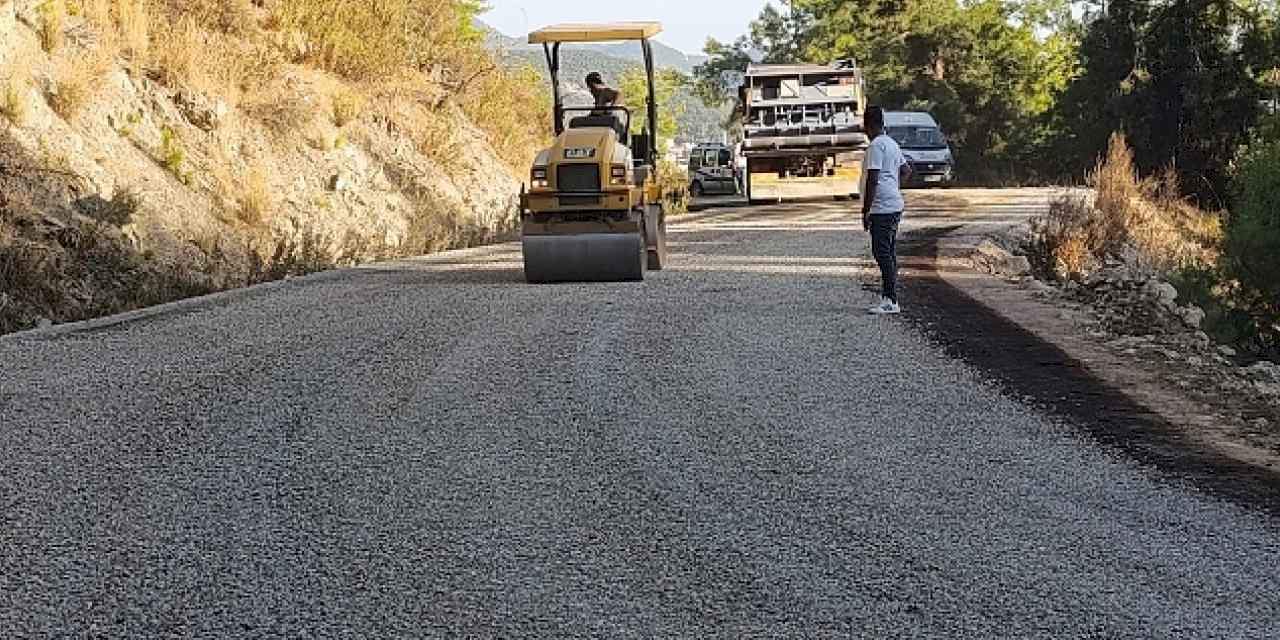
x=989, y=71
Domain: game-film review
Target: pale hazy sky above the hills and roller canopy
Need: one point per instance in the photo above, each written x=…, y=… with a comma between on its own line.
x=687, y=24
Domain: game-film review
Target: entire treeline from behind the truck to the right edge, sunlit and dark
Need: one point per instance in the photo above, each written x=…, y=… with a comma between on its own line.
x=1034, y=90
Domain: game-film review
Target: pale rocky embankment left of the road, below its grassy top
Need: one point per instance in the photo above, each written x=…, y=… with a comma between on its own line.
x=181, y=188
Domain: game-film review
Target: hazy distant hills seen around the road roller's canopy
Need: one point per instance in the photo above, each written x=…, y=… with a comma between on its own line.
x=697, y=122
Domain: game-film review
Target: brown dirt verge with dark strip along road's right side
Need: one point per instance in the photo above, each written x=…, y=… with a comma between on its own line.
x=1151, y=410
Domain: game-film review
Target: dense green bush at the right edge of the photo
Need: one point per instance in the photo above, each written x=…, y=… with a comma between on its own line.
x=1252, y=246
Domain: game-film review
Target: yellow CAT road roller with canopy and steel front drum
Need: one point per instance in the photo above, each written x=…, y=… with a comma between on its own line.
x=593, y=211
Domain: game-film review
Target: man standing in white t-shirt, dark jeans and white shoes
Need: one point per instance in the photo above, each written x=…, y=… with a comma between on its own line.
x=883, y=205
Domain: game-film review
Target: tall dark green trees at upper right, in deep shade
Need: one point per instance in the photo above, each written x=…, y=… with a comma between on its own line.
x=1178, y=77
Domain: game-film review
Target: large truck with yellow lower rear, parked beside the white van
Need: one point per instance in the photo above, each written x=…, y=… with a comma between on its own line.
x=803, y=131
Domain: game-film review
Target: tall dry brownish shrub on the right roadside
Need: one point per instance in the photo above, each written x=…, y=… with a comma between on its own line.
x=1144, y=222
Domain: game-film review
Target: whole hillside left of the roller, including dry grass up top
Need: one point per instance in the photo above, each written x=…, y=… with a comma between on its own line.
x=249, y=104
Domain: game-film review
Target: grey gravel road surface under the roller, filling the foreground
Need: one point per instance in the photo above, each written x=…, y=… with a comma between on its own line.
x=730, y=450
